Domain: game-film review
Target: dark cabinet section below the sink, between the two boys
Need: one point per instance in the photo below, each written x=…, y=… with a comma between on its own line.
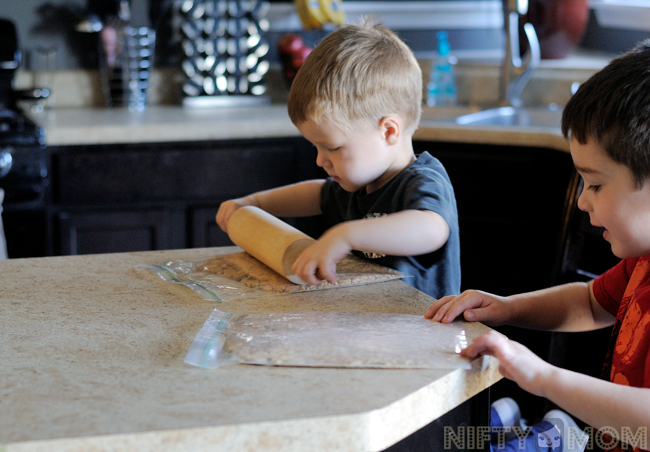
x=511, y=202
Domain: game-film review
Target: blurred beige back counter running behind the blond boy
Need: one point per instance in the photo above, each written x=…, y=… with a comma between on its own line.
x=88, y=126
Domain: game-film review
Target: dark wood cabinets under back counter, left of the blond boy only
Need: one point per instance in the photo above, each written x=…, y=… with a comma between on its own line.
x=151, y=196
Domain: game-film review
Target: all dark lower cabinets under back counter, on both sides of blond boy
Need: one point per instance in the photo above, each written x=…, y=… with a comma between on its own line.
x=131, y=197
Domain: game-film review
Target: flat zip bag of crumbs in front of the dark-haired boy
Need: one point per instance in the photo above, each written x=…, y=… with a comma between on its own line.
x=328, y=339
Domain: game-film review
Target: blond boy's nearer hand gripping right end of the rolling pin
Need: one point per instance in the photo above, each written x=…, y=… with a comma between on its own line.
x=318, y=262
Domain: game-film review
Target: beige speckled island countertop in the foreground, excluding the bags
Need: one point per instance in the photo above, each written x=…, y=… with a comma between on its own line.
x=92, y=355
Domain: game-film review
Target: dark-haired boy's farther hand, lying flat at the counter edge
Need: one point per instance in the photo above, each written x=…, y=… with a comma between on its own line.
x=476, y=306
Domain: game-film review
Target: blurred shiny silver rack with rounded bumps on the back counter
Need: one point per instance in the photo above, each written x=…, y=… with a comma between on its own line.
x=225, y=50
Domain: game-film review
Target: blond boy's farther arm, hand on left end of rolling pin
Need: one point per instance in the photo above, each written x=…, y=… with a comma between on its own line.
x=296, y=200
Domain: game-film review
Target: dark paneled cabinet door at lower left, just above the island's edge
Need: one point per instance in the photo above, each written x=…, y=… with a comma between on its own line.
x=113, y=232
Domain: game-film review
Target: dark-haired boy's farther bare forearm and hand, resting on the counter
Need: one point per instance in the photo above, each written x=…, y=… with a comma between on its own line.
x=569, y=307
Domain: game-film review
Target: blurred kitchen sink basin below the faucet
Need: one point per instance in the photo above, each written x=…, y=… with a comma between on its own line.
x=511, y=116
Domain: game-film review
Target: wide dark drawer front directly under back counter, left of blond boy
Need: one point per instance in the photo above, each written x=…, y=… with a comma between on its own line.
x=172, y=172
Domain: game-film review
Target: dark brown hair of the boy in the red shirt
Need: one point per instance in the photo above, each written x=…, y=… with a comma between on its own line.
x=613, y=108
